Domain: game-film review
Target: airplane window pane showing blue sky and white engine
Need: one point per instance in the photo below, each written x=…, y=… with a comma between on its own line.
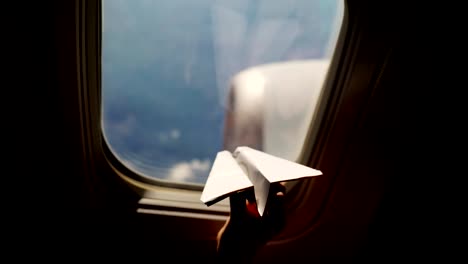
x=175, y=71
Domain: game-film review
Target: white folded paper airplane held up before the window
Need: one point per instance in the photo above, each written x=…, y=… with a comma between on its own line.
x=246, y=168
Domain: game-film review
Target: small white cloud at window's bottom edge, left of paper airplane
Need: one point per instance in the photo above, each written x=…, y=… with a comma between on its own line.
x=189, y=171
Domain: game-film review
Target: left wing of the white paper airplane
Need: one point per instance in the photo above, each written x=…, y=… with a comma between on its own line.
x=225, y=178
